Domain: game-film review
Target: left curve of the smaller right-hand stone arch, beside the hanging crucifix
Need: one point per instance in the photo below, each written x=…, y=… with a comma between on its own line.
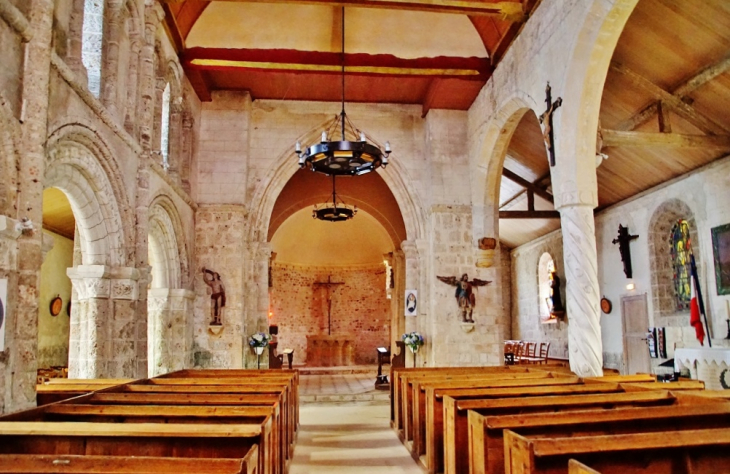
x=493, y=150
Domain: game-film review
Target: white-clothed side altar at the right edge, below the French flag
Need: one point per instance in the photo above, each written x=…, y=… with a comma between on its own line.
x=709, y=365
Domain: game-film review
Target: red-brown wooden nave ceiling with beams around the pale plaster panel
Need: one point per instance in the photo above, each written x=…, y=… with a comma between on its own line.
x=443, y=82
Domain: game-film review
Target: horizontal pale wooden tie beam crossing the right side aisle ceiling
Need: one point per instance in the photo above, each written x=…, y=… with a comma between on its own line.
x=670, y=140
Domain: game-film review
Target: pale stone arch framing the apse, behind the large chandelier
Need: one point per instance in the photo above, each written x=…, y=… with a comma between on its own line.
x=396, y=177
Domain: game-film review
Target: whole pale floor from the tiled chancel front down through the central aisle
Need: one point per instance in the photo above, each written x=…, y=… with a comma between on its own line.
x=352, y=435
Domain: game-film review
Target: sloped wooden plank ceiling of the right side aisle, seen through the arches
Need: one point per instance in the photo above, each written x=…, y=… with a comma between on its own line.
x=665, y=110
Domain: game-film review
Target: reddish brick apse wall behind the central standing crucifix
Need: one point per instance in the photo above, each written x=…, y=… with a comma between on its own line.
x=359, y=310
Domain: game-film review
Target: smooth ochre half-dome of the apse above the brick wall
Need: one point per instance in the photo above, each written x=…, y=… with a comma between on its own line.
x=302, y=240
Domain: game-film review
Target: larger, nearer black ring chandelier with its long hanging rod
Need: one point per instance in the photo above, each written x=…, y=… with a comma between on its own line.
x=353, y=154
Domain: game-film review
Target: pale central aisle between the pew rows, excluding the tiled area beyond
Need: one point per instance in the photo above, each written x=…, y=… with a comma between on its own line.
x=355, y=437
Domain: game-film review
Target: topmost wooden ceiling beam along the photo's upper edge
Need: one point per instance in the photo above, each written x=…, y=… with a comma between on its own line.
x=507, y=11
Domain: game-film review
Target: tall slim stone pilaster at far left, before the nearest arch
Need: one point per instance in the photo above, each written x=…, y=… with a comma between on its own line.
x=22, y=363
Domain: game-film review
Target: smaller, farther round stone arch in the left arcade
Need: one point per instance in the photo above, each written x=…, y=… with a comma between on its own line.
x=167, y=235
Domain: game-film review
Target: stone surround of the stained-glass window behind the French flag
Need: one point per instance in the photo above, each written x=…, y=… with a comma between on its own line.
x=662, y=284
